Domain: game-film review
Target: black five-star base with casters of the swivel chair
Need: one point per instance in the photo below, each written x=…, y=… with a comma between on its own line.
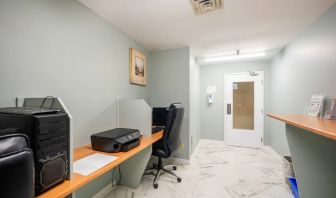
x=159, y=170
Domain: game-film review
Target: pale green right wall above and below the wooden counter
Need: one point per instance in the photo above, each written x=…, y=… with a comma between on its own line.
x=305, y=67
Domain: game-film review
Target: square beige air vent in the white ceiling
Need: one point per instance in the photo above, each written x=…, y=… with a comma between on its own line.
x=203, y=6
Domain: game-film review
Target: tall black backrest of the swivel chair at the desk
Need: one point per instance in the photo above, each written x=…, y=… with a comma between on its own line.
x=171, y=136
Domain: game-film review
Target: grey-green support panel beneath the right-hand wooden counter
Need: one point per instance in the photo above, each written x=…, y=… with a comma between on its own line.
x=314, y=162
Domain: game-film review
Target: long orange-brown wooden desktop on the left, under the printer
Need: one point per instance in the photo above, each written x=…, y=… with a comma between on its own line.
x=77, y=181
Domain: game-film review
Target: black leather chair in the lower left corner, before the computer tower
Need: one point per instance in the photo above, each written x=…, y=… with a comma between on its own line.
x=16, y=167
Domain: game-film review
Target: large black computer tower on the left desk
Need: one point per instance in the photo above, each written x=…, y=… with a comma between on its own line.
x=48, y=132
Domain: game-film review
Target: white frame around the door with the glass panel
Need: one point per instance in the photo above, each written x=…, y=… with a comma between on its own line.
x=261, y=73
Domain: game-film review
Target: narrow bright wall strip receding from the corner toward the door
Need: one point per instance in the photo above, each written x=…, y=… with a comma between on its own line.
x=195, y=110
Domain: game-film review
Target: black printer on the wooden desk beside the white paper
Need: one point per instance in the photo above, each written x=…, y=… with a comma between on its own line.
x=115, y=140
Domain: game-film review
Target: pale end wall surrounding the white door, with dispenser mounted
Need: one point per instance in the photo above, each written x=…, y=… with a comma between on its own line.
x=212, y=116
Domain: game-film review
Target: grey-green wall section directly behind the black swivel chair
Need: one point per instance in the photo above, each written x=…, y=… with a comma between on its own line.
x=169, y=84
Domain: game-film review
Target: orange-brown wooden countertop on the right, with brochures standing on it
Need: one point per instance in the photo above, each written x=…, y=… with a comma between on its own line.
x=319, y=126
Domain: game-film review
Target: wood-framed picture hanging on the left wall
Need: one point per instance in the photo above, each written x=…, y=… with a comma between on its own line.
x=138, y=68
